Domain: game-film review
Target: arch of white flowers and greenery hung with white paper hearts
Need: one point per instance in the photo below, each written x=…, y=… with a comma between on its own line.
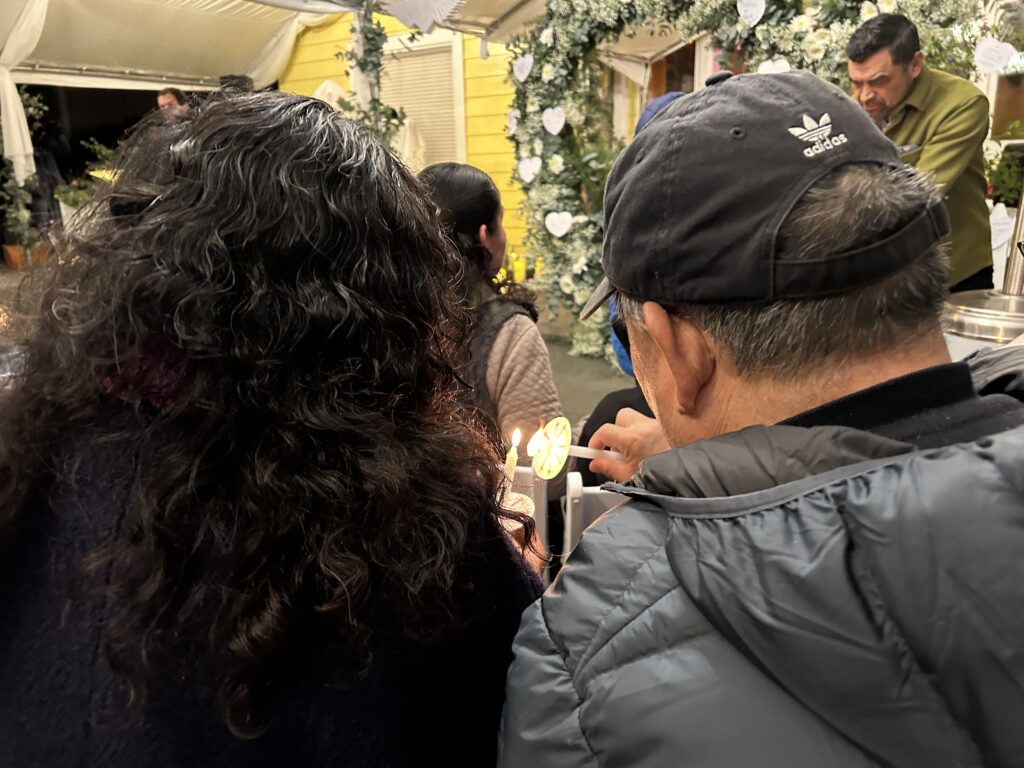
x=563, y=132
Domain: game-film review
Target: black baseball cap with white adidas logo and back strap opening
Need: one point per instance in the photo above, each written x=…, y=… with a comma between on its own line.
x=694, y=206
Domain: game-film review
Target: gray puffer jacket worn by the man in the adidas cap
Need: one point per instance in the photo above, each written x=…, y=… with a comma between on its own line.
x=788, y=599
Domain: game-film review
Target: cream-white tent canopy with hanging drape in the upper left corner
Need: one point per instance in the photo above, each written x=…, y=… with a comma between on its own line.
x=142, y=45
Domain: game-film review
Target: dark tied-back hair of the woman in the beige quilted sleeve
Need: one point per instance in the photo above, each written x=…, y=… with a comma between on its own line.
x=466, y=199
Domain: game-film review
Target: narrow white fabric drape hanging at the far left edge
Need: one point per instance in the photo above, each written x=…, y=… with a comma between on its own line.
x=21, y=42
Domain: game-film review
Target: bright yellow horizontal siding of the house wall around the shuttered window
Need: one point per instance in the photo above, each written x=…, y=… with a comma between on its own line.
x=489, y=99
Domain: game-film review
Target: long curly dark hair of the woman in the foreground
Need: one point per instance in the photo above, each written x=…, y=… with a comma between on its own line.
x=262, y=309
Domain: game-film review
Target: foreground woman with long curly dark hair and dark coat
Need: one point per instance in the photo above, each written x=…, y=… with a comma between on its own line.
x=244, y=518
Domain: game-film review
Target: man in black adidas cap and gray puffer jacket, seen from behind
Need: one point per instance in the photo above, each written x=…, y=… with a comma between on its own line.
x=825, y=571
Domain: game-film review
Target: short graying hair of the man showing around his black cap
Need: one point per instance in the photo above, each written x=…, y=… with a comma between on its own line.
x=847, y=209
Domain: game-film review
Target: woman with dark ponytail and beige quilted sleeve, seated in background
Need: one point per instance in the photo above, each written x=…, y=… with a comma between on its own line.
x=509, y=367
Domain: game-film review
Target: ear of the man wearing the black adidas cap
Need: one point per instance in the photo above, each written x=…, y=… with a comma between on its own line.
x=690, y=358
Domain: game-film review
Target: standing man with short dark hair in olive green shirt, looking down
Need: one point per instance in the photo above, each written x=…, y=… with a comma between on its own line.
x=940, y=121
